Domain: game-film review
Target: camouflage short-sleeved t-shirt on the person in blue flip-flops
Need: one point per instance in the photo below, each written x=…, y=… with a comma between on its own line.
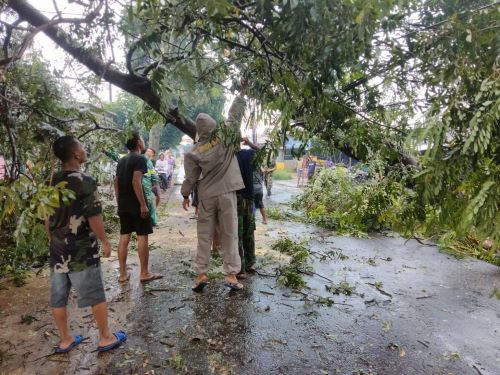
x=73, y=246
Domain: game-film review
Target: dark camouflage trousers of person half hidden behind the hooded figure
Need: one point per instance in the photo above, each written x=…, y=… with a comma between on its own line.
x=246, y=228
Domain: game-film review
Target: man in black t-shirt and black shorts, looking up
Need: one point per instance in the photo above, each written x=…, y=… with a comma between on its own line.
x=132, y=207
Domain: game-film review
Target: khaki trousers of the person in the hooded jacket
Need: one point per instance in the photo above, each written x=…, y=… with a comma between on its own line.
x=221, y=209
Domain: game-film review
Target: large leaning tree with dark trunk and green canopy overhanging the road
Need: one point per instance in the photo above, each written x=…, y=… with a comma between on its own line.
x=374, y=79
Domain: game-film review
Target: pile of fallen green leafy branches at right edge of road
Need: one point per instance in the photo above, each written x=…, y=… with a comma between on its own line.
x=335, y=200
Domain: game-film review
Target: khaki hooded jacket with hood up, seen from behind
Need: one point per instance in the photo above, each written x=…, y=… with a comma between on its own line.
x=210, y=162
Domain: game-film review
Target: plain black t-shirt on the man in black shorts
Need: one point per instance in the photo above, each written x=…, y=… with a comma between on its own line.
x=127, y=200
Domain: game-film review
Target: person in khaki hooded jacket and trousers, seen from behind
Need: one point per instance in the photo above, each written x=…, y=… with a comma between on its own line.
x=215, y=167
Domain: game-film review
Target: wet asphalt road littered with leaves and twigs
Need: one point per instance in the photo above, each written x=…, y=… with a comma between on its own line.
x=412, y=310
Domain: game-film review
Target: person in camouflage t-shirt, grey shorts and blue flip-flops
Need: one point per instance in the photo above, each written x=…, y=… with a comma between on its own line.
x=73, y=230
